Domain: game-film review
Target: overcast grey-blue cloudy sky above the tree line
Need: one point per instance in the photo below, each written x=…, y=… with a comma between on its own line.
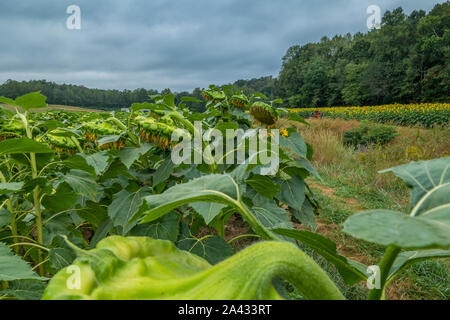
x=177, y=44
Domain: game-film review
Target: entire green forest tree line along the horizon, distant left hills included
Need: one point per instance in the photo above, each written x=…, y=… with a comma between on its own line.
x=407, y=60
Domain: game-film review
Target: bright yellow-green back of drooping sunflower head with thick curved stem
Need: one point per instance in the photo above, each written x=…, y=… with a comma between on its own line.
x=144, y=269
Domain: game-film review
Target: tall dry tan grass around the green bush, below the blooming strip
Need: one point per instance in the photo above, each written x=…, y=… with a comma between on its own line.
x=362, y=166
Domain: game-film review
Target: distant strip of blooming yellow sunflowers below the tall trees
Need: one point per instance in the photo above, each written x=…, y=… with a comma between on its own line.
x=423, y=114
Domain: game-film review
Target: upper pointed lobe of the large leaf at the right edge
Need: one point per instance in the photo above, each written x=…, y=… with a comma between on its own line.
x=423, y=176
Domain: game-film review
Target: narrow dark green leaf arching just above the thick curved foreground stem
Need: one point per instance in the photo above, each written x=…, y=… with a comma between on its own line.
x=327, y=249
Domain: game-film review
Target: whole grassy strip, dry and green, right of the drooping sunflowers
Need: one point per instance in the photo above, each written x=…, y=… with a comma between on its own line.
x=352, y=184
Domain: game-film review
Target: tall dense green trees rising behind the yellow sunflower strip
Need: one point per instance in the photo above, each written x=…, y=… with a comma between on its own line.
x=407, y=60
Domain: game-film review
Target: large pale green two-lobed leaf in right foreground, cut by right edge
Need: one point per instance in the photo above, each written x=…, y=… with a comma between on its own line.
x=428, y=224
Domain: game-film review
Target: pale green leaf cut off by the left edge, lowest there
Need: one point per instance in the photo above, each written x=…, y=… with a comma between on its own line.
x=12, y=267
